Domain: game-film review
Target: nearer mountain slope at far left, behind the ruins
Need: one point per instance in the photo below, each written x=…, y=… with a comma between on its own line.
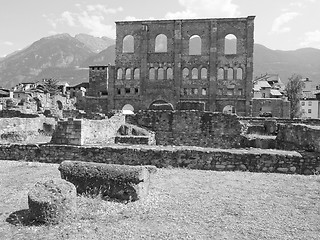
x=60, y=51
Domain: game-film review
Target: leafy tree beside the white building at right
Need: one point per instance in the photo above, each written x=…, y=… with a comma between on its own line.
x=293, y=90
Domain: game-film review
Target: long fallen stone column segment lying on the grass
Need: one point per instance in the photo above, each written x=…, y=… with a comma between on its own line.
x=110, y=180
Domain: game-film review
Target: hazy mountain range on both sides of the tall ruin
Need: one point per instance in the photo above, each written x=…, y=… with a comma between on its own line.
x=67, y=58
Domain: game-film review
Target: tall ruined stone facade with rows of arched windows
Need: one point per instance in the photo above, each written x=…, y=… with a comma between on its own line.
x=157, y=60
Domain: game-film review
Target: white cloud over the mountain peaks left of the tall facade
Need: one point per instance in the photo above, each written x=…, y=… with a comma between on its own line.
x=90, y=17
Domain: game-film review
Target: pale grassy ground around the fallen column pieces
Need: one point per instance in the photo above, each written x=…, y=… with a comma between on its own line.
x=182, y=204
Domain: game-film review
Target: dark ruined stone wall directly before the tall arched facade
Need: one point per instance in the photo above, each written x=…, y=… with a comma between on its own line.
x=191, y=128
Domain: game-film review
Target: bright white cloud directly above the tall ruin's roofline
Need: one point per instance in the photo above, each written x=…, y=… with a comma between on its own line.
x=205, y=8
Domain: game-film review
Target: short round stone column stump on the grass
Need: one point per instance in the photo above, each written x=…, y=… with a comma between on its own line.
x=52, y=201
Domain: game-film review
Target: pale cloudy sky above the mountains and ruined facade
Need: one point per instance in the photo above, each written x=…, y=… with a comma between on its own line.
x=279, y=24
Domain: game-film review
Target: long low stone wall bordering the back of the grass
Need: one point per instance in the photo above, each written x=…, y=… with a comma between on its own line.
x=255, y=160
